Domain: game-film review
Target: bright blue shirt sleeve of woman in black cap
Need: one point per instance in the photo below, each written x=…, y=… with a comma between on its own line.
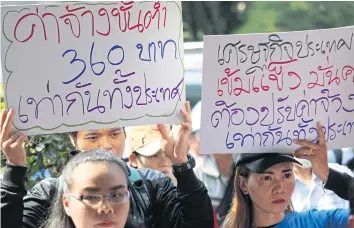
x=329, y=218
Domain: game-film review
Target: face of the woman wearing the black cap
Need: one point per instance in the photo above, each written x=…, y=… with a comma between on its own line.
x=271, y=190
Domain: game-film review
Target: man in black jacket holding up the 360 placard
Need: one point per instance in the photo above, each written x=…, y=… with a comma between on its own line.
x=154, y=201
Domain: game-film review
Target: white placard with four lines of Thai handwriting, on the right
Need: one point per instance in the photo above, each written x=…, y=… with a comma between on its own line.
x=260, y=91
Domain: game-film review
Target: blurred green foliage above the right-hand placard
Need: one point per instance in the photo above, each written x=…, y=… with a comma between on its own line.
x=296, y=16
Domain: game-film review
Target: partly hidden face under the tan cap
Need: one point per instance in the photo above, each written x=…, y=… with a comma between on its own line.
x=158, y=161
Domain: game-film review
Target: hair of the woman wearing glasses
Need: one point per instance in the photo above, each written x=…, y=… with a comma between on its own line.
x=57, y=216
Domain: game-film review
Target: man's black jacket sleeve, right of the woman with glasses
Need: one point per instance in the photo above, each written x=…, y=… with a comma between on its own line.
x=187, y=205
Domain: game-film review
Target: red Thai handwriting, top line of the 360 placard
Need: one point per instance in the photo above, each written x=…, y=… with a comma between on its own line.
x=116, y=17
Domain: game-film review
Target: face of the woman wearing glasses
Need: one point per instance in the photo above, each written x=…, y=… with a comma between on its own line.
x=91, y=179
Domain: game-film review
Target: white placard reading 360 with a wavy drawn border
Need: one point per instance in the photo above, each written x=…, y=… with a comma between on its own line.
x=86, y=65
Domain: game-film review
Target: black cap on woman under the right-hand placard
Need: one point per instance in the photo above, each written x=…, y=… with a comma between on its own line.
x=259, y=162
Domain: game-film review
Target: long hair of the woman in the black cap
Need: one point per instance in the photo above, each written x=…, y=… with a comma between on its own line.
x=241, y=213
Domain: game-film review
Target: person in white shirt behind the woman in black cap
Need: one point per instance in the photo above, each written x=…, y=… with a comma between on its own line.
x=309, y=193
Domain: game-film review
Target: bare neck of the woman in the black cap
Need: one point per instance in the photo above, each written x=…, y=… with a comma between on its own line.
x=262, y=218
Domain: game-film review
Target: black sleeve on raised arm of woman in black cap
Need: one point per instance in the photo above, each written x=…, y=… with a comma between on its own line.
x=338, y=183
